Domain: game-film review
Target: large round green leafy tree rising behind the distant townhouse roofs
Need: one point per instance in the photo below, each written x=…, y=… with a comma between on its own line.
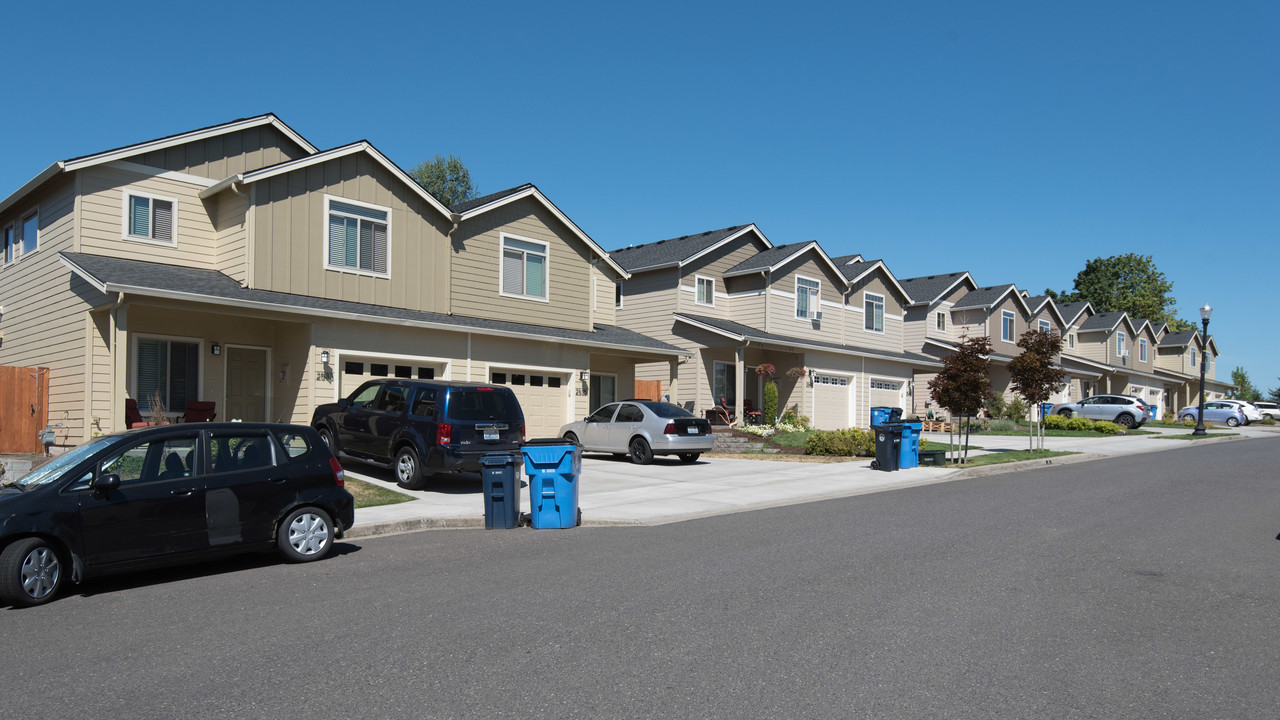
x=1126, y=284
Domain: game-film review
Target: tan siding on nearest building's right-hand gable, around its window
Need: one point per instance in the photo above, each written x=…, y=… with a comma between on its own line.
x=478, y=259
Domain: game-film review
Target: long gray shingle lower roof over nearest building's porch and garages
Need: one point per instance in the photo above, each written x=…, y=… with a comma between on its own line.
x=212, y=286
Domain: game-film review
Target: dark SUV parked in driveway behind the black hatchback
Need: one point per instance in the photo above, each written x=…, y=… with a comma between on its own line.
x=423, y=427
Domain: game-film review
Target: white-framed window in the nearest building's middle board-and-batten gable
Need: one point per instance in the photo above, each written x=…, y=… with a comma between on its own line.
x=358, y=238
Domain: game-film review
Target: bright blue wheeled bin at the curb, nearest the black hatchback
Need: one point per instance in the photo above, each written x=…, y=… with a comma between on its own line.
x=554, y=468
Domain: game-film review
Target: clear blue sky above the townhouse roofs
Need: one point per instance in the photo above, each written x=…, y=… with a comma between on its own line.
x=1013, y=140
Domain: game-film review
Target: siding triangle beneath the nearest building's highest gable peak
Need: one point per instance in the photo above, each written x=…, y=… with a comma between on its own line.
x=227, y=154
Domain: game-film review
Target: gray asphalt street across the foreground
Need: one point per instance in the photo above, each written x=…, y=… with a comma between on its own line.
x=1136, y=587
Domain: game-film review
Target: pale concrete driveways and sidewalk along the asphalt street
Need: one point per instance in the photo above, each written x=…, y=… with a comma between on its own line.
x=616, y=493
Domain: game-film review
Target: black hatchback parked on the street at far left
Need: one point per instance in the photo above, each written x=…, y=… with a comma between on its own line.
x=166, y=495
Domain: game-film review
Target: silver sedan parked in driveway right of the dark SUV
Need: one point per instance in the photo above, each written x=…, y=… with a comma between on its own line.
x=643, y=429
